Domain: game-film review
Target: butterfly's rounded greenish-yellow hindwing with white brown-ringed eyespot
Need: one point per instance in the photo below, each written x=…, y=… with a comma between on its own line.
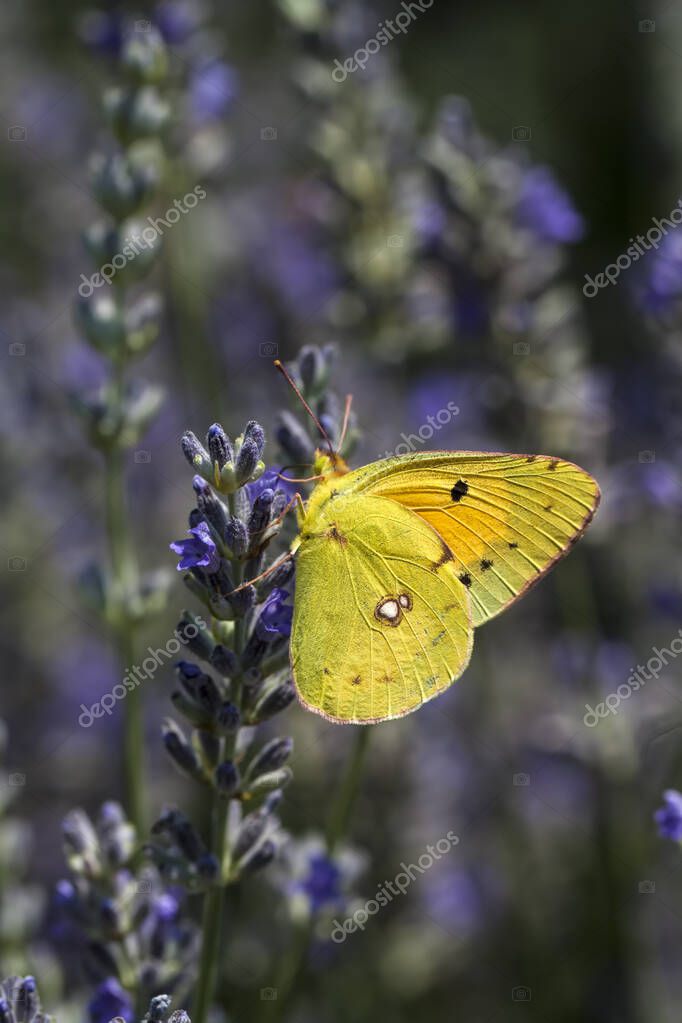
x=382, y=622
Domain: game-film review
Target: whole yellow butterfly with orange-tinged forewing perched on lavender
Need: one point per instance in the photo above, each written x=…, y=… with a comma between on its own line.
x=399, y=561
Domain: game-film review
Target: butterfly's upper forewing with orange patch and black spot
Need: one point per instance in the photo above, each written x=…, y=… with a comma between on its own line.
x=507, y=518
